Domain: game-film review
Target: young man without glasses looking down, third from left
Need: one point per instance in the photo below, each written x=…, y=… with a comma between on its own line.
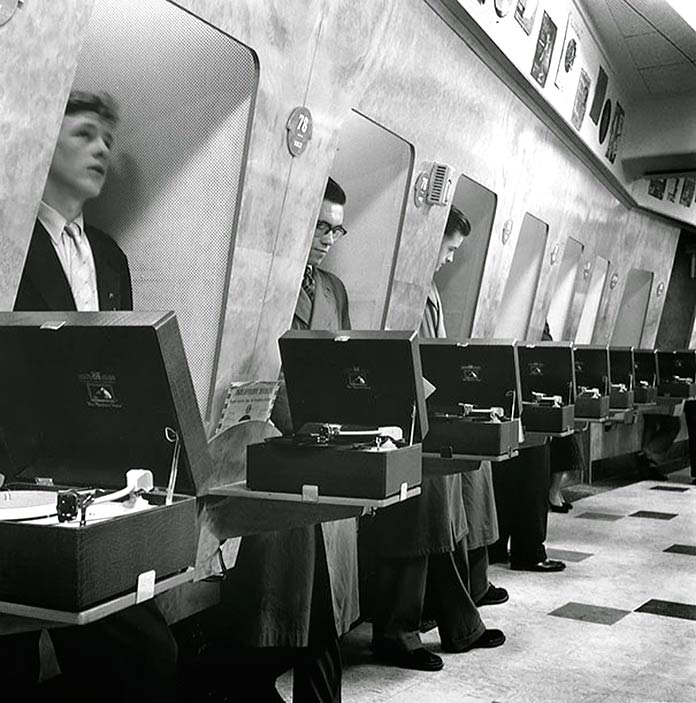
x=420, y=545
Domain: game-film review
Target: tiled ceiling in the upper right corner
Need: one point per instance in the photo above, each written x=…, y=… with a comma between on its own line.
x=653, y=48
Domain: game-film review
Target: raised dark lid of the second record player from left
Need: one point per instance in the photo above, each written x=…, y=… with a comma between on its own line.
x=354, y=377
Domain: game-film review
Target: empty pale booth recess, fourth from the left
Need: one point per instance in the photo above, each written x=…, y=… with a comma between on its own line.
x=521, y=285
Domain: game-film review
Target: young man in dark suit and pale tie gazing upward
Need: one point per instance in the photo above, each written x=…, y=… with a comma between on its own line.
x=129, y=656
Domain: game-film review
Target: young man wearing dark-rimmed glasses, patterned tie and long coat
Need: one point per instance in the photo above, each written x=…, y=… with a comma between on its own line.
x=292, y=594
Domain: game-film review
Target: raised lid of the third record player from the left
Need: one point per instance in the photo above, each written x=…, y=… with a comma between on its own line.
x=484, y=373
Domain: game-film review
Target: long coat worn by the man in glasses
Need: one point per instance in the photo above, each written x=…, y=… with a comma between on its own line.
x=270, y=595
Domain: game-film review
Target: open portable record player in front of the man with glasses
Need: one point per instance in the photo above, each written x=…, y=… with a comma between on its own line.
x=358, y=413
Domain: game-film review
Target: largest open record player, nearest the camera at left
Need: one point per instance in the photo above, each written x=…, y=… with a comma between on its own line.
x=85, y=398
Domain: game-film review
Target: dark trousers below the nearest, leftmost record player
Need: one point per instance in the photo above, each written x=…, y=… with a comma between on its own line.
x=133, y=651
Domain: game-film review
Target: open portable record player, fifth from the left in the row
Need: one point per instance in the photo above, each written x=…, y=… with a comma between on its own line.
x=593, y=381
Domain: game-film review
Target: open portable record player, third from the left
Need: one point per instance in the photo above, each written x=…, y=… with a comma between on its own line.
x=474, y=411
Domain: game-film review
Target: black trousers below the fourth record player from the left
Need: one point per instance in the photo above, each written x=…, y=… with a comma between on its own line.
x=521, y=493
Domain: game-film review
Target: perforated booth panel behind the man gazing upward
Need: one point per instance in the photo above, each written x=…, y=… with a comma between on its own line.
x=186, y=91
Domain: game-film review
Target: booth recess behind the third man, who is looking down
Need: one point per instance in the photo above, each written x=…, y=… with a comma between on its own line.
x=459, y=282
